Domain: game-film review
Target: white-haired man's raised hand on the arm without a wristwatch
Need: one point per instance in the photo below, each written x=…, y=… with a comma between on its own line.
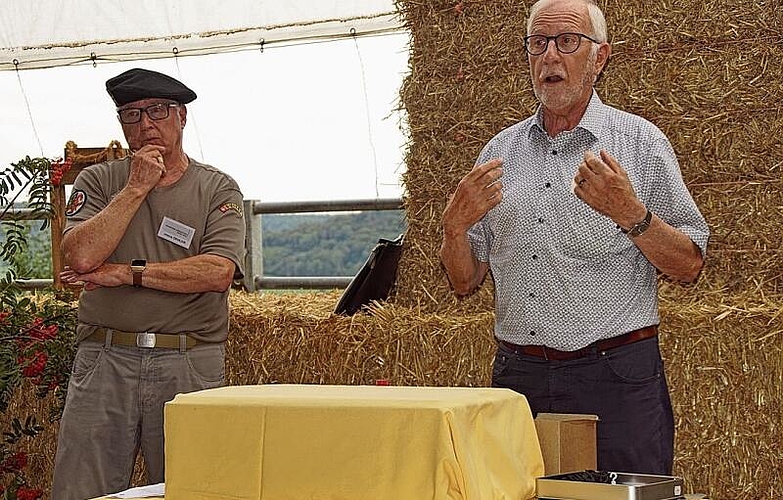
x=478, y=192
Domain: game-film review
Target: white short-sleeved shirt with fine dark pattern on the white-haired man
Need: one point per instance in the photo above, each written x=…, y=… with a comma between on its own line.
x=565, y=275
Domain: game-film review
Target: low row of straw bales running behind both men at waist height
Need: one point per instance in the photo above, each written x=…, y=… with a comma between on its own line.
x=724, y=357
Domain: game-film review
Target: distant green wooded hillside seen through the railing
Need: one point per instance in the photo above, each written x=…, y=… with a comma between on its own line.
x=294, y=245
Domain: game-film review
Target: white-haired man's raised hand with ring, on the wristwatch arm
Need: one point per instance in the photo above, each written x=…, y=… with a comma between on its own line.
x=604, y=185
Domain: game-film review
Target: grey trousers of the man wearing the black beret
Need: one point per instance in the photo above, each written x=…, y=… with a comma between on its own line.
x=114, y=408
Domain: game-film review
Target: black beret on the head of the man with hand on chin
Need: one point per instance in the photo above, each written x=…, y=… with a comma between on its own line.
x=136, y=84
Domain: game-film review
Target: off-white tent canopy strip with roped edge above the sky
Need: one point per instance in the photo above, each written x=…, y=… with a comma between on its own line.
x=49, y=33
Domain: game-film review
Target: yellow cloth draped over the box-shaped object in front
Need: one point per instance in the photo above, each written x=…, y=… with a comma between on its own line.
x=302, y=442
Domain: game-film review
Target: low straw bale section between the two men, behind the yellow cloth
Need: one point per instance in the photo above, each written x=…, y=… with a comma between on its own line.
x=296, y=339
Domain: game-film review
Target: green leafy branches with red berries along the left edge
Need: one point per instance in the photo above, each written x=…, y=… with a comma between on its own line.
x=36, y=330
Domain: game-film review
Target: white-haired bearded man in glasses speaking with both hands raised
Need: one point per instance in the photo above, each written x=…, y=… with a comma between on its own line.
x=574, y=211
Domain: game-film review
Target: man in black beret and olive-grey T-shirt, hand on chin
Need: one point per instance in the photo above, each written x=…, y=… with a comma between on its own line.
x=157, y=239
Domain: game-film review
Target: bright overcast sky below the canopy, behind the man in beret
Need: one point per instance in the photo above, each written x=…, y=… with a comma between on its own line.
x=303, y=122
